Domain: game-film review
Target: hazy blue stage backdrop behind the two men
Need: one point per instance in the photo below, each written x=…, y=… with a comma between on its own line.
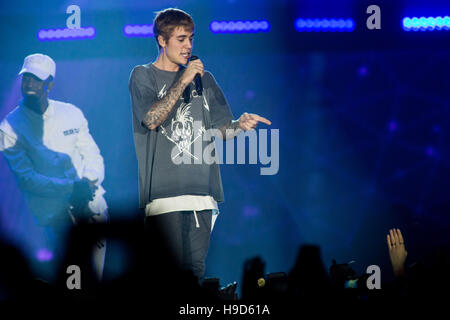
x=363, y=120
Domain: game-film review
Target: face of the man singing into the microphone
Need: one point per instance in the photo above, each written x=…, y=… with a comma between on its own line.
x=179, y=46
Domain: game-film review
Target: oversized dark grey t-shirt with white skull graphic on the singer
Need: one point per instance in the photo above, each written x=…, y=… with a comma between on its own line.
x=168, y=164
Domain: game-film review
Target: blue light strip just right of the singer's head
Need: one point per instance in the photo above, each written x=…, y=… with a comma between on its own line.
x=239, y=26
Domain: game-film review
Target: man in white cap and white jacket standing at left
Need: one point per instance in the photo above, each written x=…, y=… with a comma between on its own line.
x=55, y=159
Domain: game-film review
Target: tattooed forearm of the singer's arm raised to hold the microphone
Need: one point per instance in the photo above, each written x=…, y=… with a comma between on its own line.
x=161, y=109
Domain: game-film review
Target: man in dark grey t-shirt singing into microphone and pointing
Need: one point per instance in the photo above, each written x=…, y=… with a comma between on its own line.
x=172, y=111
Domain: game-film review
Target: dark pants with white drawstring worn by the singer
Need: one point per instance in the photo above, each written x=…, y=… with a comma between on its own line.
x=187, y=241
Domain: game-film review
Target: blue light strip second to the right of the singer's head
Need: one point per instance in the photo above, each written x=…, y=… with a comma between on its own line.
x=324, y=25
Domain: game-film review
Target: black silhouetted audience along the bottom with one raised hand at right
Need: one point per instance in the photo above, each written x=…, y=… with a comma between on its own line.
x=152, y=279
